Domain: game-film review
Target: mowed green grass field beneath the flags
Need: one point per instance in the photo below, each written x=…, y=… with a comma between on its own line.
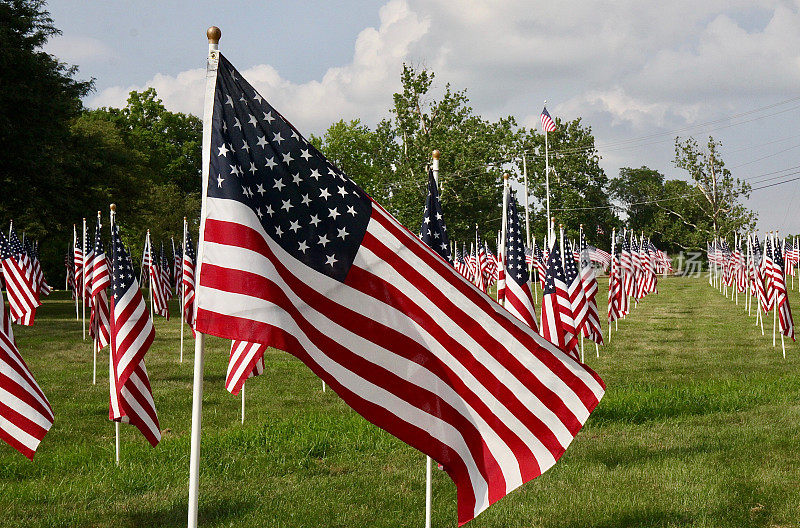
x=700, y=427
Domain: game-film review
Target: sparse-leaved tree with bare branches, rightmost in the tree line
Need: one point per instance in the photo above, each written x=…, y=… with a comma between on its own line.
x=719, y=193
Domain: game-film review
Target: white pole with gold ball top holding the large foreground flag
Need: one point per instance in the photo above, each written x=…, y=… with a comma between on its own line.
x=213, y=33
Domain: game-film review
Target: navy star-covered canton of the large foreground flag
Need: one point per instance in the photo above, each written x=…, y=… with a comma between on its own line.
x=304, y=204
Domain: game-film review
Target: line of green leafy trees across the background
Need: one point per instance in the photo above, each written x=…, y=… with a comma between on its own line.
x=63, y=161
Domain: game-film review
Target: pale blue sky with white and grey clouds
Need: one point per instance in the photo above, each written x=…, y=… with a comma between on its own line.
x=638, y=73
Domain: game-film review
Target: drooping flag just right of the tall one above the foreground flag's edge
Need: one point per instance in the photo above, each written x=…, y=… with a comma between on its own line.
x=558, y=325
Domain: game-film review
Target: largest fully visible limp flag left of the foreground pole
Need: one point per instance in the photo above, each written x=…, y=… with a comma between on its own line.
x=132, y=334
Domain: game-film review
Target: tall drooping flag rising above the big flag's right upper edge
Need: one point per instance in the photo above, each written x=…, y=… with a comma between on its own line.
x=517, y=297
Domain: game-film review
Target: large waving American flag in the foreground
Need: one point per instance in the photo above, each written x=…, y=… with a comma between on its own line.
x=295, y=255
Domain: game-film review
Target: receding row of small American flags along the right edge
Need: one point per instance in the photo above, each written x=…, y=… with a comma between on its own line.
x=761, y=273
